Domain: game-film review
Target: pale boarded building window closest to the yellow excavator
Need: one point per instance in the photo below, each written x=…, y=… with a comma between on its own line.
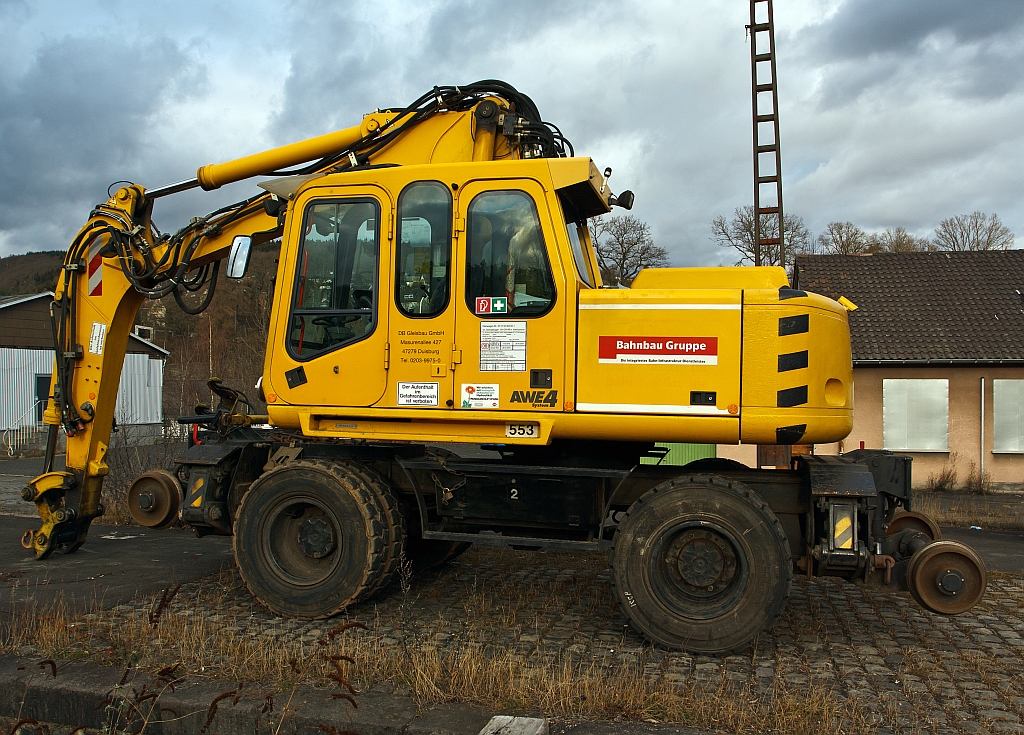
x=916, y=415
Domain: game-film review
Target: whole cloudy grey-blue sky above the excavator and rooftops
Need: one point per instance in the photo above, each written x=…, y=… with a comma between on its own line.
x=893, y=114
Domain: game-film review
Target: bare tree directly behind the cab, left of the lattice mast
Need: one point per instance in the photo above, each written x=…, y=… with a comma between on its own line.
x=625, y=248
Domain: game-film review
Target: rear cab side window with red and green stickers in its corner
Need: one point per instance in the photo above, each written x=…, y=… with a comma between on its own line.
x=509, y=273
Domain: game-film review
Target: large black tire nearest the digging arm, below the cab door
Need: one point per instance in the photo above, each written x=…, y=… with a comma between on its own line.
x=269, y=528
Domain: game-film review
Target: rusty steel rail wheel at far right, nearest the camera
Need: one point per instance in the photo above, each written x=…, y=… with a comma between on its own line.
x=948, y=578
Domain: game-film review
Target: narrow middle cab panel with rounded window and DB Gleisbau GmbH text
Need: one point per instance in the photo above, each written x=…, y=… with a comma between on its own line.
x=422, y=327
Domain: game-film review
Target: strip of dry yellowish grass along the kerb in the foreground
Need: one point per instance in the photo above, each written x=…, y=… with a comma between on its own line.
x=499, y=676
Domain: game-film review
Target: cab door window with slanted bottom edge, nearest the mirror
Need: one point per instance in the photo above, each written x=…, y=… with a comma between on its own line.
x=335, y=297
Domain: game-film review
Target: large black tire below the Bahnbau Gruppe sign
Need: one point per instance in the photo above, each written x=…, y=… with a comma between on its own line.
x=678, y=515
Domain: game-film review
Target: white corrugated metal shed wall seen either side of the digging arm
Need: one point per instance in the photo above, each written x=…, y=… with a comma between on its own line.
x=140, y=396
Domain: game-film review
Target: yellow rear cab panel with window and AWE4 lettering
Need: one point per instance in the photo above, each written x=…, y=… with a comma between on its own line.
x=510, y=343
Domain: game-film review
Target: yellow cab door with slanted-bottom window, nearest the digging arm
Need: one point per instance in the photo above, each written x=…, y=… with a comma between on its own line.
x=335, y=322
